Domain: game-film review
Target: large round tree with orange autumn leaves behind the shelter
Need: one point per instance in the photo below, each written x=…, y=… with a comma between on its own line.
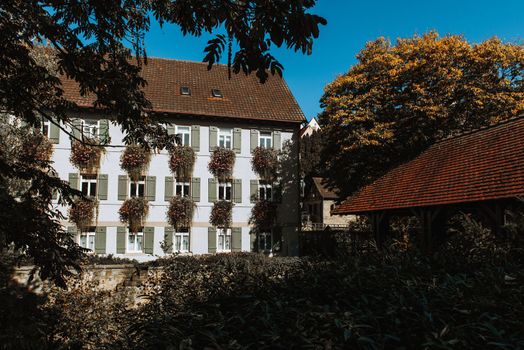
x=398, y=100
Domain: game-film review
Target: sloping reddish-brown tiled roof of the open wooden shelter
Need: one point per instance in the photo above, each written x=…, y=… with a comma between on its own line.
x=483, y=165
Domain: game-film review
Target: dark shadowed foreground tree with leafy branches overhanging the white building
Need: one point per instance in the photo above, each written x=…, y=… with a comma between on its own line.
x=100, y=45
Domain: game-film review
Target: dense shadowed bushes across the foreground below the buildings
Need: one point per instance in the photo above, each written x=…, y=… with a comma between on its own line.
x=469, y=295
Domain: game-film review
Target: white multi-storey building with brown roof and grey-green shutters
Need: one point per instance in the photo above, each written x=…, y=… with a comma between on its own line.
x=207, y=109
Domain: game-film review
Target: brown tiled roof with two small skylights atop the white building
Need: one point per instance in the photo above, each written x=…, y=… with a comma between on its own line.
x=243, y=96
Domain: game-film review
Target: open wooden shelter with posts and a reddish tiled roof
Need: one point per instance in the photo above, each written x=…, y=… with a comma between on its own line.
x=481, y=171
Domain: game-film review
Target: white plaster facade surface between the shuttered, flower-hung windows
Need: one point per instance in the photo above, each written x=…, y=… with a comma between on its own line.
x=108, y=217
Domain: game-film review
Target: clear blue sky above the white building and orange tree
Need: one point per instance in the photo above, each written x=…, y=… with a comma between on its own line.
x=351, y=24
